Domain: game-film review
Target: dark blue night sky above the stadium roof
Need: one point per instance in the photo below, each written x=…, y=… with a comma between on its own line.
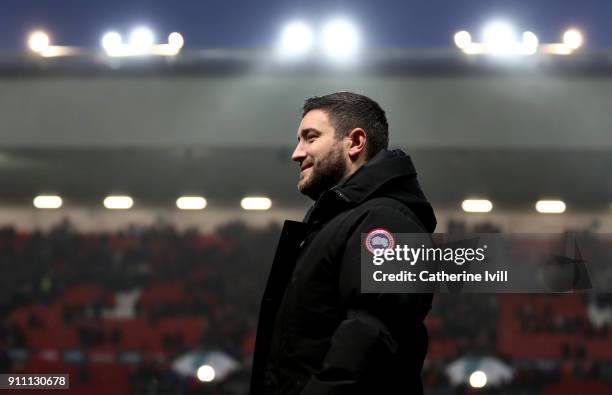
x=232, y=23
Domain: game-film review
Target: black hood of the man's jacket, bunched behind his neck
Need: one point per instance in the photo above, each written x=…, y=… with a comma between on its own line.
x=388, y=174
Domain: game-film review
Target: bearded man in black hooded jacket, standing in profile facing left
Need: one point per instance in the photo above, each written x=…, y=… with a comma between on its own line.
x=317, y=333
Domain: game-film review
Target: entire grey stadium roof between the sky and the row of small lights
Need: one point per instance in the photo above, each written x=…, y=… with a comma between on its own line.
x=475, y=128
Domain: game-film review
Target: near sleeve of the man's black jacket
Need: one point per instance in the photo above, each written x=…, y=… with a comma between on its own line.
x=366, y=340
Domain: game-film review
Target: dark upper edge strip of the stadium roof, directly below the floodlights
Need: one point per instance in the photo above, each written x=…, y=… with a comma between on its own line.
x=392, y=60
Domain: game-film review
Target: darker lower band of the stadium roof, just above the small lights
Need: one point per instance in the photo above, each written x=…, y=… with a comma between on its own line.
x=512, y=179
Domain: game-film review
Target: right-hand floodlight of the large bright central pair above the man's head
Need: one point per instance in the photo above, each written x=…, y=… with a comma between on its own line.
x=341, y=40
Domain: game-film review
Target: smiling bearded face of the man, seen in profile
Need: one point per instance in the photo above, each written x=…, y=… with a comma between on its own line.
x=322, y=157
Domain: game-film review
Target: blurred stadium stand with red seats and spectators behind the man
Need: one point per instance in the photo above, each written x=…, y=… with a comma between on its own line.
x=115, y=310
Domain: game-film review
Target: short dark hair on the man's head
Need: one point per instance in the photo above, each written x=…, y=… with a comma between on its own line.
x=347, y=111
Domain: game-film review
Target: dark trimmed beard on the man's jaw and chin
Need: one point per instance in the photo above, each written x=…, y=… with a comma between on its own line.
x=325, y=175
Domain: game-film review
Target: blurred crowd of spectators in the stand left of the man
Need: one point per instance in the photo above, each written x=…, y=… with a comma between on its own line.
x=221, y=277
